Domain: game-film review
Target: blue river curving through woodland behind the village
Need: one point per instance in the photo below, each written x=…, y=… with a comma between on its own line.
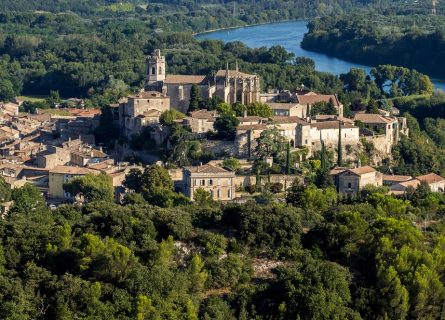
x=289, y=35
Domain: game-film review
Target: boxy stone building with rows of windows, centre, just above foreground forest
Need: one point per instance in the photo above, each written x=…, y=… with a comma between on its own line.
x=218, y=181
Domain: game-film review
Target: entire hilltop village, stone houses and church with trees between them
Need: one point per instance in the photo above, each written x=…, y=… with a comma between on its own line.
x=48, y=150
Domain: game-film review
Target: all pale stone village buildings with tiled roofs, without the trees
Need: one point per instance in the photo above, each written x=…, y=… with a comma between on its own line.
x=50, y=148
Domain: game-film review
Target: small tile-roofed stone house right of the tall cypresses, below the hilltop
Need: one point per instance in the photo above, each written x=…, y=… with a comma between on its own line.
x=349, y=182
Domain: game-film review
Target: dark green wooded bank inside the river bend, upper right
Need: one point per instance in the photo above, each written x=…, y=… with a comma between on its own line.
x=414, y=41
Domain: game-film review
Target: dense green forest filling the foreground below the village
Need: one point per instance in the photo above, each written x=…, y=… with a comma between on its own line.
x=315, y=256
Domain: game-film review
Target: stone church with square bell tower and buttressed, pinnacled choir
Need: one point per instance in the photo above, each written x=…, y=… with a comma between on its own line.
x=230, y=85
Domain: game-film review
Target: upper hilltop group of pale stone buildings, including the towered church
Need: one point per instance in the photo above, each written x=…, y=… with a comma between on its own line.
x=291, y=112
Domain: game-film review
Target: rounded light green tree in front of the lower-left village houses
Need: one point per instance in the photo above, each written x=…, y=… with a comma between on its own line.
x=92, y=187
